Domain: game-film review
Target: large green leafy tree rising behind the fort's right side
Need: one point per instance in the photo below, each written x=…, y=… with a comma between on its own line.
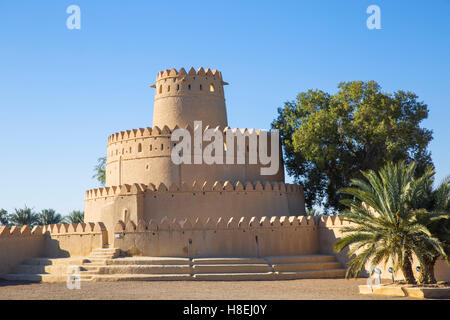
x=329, y=138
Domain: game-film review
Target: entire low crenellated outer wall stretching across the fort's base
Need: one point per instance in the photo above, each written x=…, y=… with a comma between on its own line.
x=187, y=237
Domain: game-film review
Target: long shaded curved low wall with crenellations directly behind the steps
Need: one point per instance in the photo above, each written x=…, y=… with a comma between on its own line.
x=244, y=237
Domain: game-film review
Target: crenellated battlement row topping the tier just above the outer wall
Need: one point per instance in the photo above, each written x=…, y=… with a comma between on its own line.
x=205, y=186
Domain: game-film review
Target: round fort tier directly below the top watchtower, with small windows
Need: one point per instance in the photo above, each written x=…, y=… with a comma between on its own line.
x=144, y=156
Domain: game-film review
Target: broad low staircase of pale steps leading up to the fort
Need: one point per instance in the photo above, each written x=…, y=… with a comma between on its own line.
x=105, y=265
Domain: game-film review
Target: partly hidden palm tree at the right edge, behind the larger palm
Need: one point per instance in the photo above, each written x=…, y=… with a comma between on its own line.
x=434, y=214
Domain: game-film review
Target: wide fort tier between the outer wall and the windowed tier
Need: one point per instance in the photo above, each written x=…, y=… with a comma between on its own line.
x=203, y=200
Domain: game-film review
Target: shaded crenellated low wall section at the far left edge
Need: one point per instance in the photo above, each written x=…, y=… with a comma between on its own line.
x=17, y=244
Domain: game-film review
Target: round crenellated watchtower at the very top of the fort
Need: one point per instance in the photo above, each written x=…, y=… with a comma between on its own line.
x=182, y=98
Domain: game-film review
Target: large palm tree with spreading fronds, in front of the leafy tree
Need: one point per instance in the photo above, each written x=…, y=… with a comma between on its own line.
x=385, y=225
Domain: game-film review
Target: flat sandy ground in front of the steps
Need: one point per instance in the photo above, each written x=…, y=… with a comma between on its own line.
x=306, y=289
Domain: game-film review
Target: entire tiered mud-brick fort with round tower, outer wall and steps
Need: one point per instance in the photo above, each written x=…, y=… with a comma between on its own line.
x=158, y=220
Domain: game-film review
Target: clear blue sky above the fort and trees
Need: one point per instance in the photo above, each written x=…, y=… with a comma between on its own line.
x=62, y=92
